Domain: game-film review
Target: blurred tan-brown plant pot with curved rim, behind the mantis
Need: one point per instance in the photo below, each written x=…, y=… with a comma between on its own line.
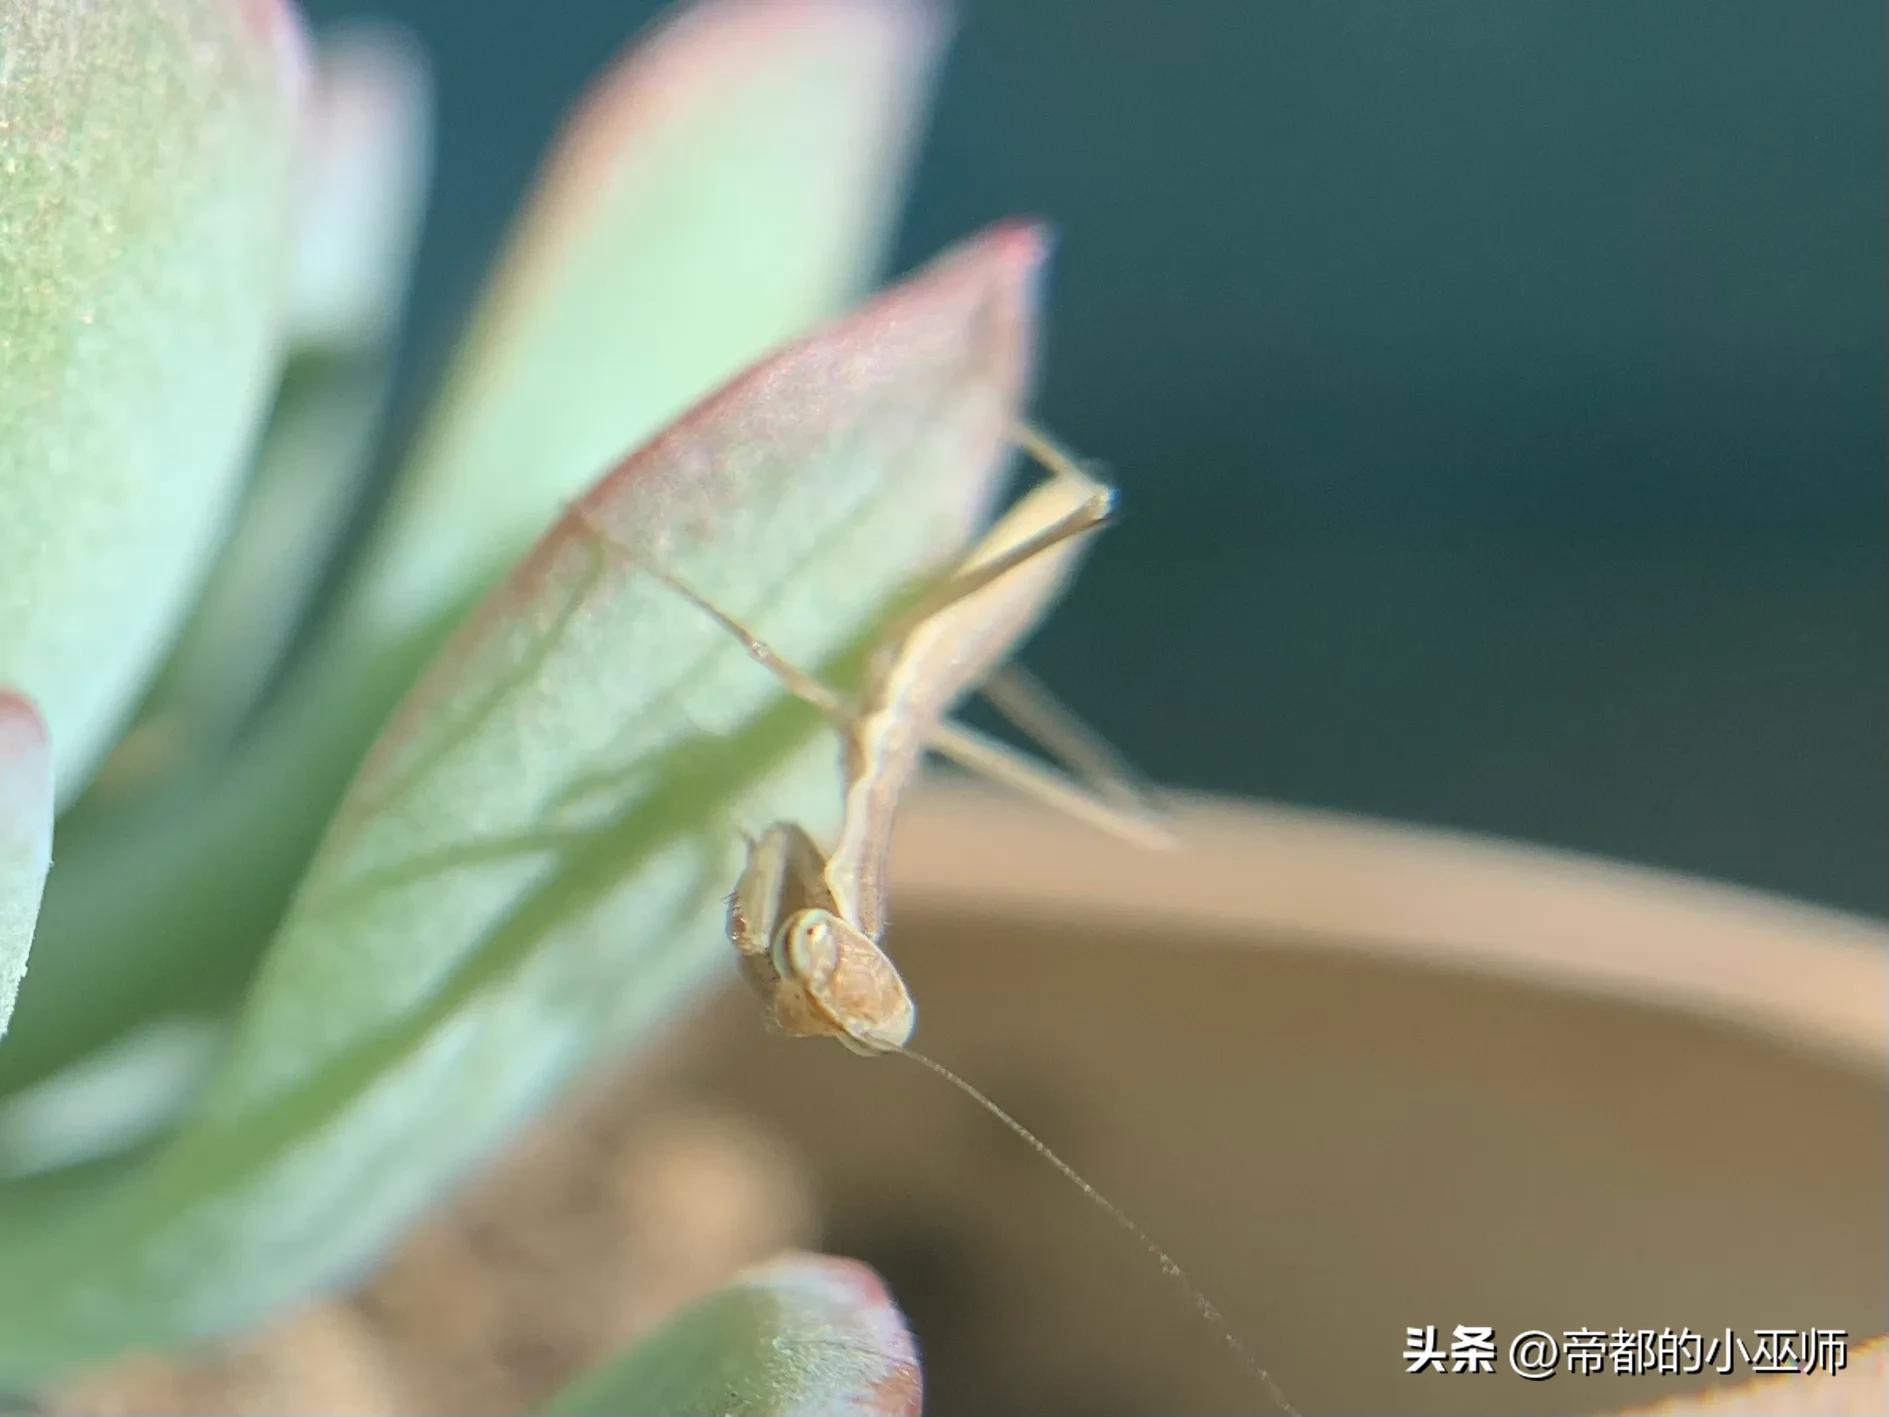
x=1357, y=1078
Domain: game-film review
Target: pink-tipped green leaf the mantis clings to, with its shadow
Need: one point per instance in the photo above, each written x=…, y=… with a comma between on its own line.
x=532, y=862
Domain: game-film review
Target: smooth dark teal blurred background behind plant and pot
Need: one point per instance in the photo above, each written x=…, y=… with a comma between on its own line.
x=1497, y=390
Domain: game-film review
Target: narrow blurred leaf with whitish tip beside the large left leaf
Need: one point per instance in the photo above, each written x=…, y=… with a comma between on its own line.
x=366, y=156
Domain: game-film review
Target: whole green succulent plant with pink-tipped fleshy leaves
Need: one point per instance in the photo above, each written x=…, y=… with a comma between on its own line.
x=369, y=844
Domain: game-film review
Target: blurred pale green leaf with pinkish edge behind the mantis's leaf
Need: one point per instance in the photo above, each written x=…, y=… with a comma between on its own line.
x=728, y=186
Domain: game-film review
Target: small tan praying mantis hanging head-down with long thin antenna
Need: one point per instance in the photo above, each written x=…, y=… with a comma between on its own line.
x=809, y=925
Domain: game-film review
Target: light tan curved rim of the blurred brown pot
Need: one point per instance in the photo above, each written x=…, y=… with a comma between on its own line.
x=1795, y=974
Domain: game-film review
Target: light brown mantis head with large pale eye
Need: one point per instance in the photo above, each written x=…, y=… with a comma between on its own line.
x=836, y=982
